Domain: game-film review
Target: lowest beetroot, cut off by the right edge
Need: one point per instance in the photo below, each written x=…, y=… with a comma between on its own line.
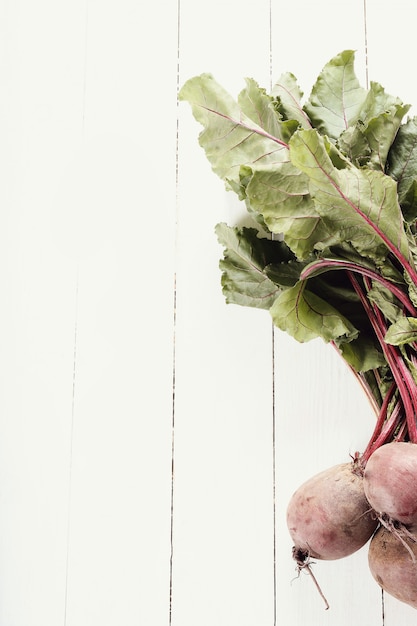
x=393, y=564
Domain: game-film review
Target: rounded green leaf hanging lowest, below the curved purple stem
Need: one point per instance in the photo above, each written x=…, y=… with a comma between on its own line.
x=306, y=316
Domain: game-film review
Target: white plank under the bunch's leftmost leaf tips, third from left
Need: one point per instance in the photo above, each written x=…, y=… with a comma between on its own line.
x=223, y=525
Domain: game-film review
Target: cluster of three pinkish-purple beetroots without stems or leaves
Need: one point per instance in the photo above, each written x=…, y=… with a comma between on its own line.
x=336, y=512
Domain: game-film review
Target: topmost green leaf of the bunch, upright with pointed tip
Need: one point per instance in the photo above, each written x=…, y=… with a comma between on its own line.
x=336, y=99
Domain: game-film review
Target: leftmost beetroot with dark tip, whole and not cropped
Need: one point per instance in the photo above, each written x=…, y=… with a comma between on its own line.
x=329, y=517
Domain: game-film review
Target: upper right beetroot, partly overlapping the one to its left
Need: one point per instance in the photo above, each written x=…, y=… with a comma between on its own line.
x=390, y=480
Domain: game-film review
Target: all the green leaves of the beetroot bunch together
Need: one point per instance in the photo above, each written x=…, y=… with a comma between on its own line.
x=331, y=184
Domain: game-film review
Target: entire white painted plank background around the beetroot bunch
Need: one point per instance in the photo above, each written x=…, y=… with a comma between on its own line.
x=150, y=435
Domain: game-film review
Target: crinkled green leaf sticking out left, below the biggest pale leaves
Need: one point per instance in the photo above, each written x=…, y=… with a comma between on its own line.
x=245, y=257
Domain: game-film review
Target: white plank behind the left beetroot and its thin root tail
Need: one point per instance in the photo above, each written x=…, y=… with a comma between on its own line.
x=321, y=415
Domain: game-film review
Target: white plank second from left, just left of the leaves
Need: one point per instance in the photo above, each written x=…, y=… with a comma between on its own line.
x=121, y=468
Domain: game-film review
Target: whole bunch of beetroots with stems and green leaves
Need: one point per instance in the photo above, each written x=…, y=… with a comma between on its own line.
x=330, y=188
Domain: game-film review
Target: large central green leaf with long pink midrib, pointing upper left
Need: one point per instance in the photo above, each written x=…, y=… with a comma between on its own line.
x=359, y=206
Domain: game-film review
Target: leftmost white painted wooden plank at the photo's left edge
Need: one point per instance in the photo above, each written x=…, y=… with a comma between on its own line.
x=41, y=122
